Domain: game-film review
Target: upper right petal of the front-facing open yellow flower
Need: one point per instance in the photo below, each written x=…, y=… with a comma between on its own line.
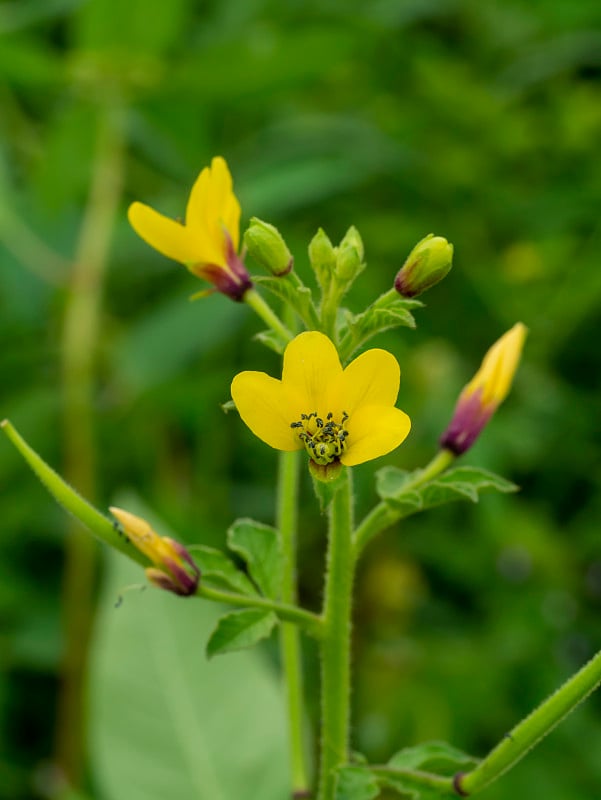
x=372, y=378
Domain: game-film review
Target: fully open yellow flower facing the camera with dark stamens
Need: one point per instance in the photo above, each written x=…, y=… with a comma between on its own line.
x=337, y=415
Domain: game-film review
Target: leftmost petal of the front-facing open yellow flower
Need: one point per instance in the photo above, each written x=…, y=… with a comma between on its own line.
x=268, y=407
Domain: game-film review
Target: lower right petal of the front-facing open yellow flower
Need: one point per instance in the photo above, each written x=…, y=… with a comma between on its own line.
x=374, y=431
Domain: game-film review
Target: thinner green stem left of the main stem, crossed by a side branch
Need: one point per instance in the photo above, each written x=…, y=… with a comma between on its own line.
x=290, y=645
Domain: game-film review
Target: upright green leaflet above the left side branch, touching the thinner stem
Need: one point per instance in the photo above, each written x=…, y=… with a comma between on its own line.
x=259, y=546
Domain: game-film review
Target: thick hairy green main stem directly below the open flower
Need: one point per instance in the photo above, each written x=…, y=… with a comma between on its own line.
x=336, y=642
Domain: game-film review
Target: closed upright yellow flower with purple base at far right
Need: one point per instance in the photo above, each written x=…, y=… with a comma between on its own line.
x=486, y=391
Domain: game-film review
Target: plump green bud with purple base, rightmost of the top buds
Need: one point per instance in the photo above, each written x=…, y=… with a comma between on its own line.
x=427, y=264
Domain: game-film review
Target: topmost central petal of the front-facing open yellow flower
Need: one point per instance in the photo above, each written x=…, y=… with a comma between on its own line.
x=311, y=365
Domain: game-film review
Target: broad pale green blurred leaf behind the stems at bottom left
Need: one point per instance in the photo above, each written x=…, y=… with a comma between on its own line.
x=164, y=721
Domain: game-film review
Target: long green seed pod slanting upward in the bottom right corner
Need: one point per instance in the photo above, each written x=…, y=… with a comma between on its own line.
x=531, y=730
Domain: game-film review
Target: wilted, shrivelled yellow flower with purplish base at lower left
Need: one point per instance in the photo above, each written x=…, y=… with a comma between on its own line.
x=174, y=569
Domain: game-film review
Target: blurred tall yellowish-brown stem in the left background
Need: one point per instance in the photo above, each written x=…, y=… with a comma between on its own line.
x=80, y=336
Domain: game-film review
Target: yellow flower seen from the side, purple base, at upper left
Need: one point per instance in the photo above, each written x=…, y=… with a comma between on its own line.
x=207, y=243
